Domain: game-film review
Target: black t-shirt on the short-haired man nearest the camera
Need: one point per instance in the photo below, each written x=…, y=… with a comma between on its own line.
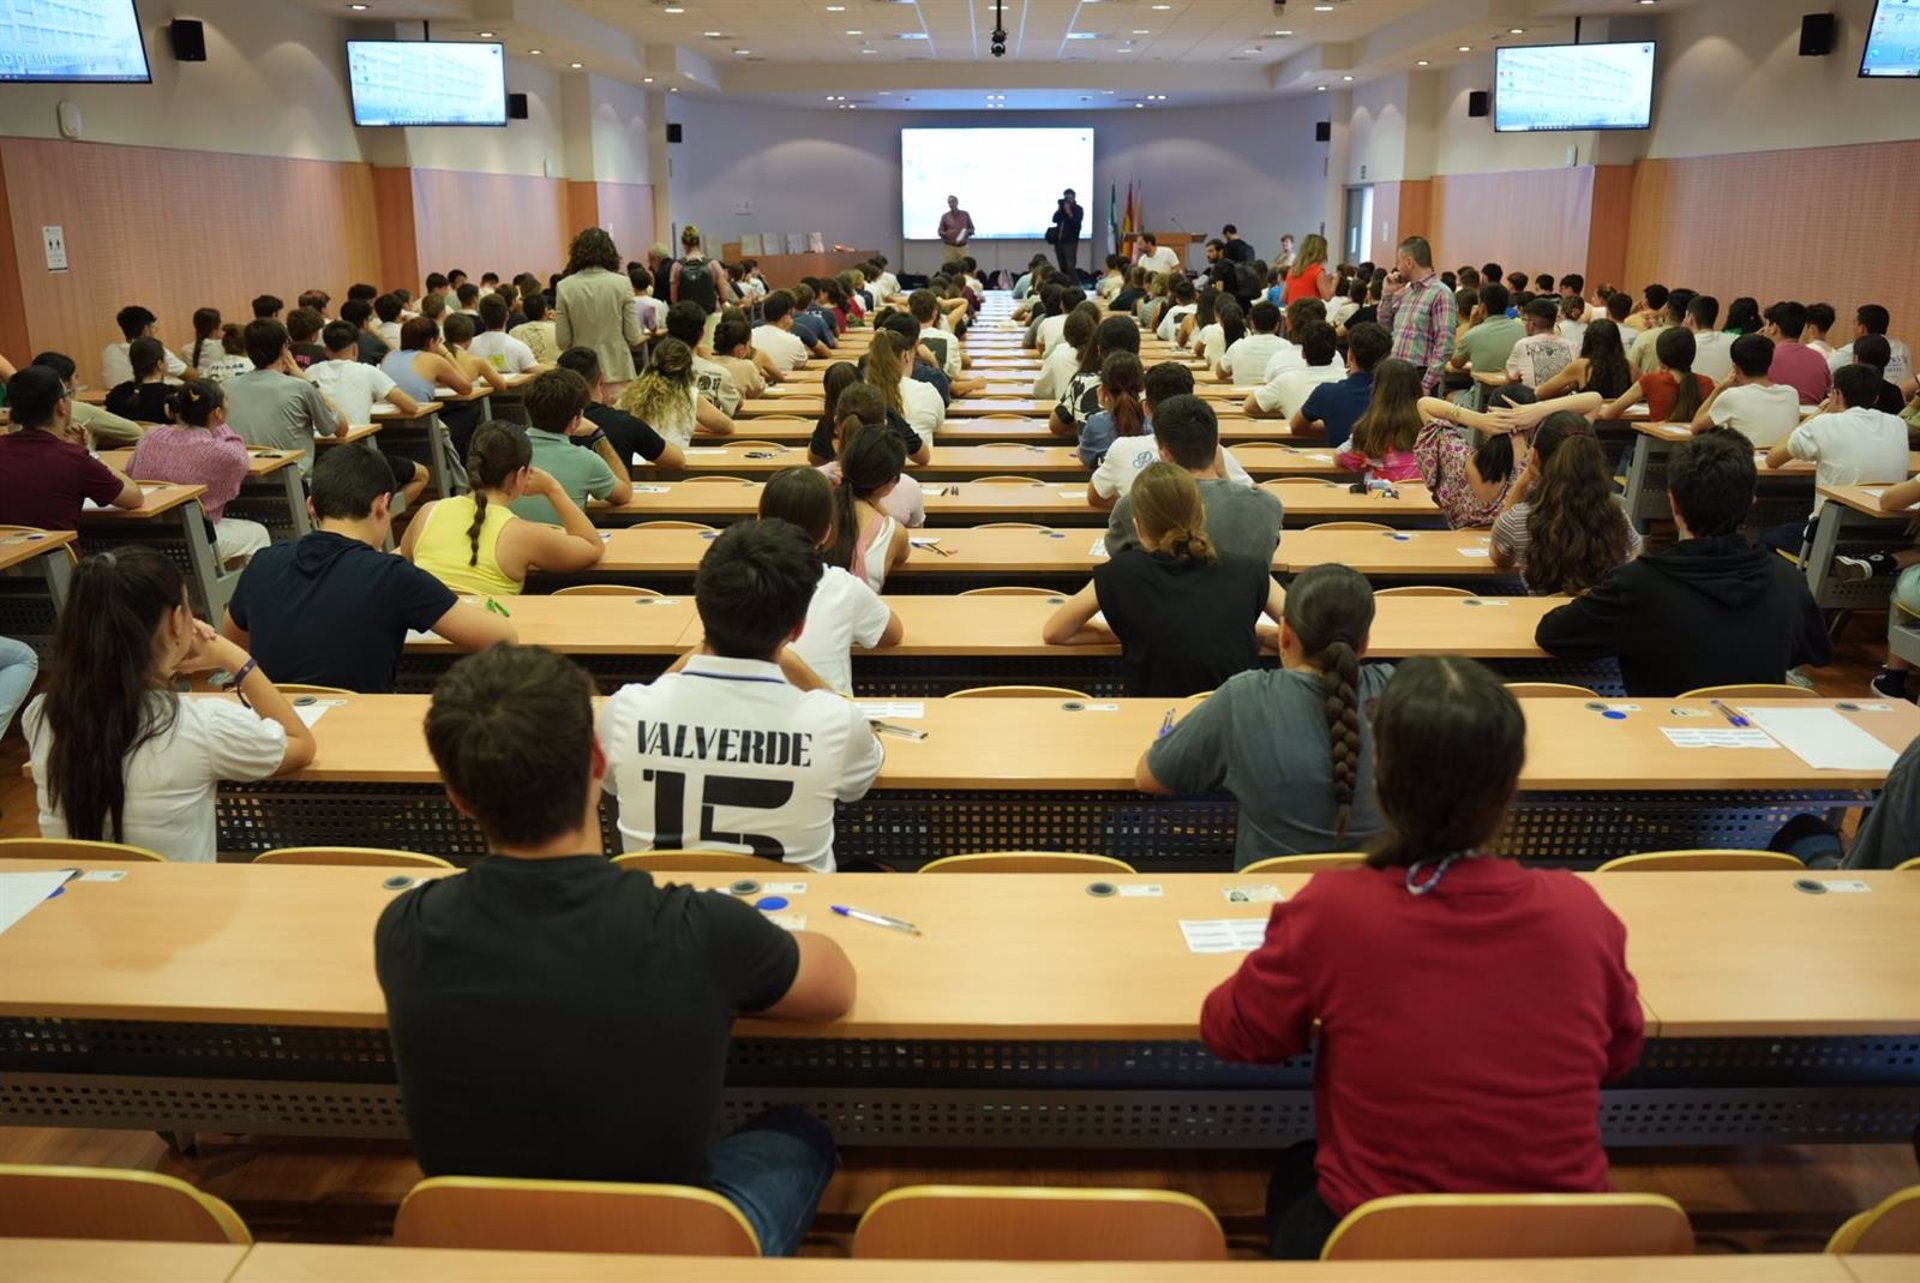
x=567, y=1019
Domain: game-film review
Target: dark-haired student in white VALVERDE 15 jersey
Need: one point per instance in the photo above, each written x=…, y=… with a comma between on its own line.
x=671, y=742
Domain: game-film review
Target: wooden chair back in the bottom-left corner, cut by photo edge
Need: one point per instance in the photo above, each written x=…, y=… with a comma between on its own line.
x=110, y=1203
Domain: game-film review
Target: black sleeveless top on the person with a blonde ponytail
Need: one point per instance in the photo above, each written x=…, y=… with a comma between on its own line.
x=1184, y=627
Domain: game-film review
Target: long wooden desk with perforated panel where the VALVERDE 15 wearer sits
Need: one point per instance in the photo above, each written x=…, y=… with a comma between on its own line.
x=1595, y=787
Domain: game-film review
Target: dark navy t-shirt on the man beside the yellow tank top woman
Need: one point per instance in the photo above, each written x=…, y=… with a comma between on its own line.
x=333, y=612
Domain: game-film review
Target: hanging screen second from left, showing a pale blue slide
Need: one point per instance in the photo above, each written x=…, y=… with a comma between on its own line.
x=427, y=84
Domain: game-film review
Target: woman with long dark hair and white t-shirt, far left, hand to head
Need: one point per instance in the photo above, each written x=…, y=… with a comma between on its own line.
x=118, y=754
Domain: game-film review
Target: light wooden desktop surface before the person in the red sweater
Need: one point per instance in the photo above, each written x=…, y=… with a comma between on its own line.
x=1001, y=956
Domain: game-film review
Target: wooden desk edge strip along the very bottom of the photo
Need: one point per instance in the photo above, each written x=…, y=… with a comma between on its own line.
x=80, y=1261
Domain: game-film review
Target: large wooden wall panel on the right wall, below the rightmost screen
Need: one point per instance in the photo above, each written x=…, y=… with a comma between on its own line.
x=1819, y=226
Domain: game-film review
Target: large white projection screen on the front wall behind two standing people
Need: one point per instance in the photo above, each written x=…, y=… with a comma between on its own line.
x=1009, y=180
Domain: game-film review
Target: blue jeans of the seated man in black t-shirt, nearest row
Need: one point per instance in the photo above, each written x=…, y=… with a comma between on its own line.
x=775, y=1173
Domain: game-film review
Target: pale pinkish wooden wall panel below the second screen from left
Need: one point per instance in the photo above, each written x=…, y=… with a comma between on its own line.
x=491, y=222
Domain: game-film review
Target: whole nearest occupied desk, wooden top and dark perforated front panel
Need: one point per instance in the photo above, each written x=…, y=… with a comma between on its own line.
x=1034, y=1009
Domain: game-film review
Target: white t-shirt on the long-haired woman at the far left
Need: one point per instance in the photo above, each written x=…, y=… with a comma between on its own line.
x=172, y=779
